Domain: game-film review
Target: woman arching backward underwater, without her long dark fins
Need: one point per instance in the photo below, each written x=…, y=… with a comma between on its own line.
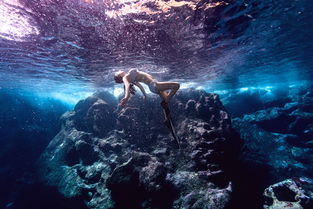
x=134, y=77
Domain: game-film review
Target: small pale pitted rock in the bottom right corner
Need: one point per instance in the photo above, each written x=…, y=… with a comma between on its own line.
x=294, y=193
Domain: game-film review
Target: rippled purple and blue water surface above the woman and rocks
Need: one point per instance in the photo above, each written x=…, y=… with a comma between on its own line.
x=73, y=46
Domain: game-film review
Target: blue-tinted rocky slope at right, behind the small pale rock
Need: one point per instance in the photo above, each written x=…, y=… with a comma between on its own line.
x=281, y=136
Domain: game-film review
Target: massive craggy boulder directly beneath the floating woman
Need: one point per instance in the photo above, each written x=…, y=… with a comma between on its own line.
x=111, y=158
